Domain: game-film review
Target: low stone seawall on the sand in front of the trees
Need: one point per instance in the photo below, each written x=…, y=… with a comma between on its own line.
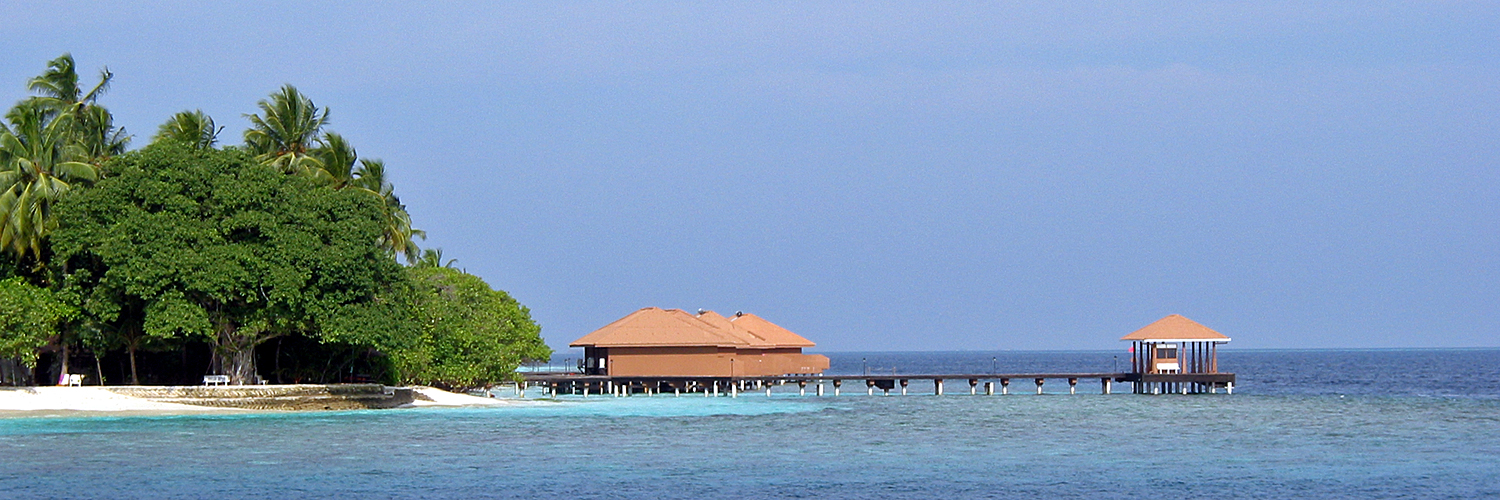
x=301, y=397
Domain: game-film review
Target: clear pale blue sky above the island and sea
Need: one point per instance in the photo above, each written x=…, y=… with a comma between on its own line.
x=890, y=176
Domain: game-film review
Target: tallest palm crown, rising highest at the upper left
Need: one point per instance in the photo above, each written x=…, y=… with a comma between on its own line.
x=92, y=127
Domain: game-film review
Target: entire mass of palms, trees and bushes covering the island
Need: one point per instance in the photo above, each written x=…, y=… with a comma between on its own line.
x=209, y=255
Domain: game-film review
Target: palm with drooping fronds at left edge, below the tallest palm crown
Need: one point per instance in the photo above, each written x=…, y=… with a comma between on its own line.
x=38, y=166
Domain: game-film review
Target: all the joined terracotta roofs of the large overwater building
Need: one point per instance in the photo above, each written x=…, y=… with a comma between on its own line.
x=661, y=328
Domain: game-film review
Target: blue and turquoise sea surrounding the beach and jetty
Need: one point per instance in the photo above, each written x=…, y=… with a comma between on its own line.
x=1303, y=424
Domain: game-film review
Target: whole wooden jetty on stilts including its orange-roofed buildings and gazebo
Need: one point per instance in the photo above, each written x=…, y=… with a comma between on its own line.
x=674, y=352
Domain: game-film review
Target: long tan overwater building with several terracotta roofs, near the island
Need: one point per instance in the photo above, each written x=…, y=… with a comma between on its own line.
x=674, y=343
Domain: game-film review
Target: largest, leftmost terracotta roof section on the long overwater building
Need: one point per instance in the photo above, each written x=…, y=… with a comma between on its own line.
x=653, y=327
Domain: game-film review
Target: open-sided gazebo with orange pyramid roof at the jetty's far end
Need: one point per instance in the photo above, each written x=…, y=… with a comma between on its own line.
x=1175, y=346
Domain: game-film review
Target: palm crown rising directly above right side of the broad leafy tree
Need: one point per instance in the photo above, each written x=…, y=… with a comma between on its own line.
x=287, y=134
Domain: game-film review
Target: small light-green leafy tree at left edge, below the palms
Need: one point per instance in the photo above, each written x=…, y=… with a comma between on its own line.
x=29, y=319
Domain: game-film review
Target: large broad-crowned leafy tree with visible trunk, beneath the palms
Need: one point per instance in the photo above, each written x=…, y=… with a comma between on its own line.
x=221, y=245
